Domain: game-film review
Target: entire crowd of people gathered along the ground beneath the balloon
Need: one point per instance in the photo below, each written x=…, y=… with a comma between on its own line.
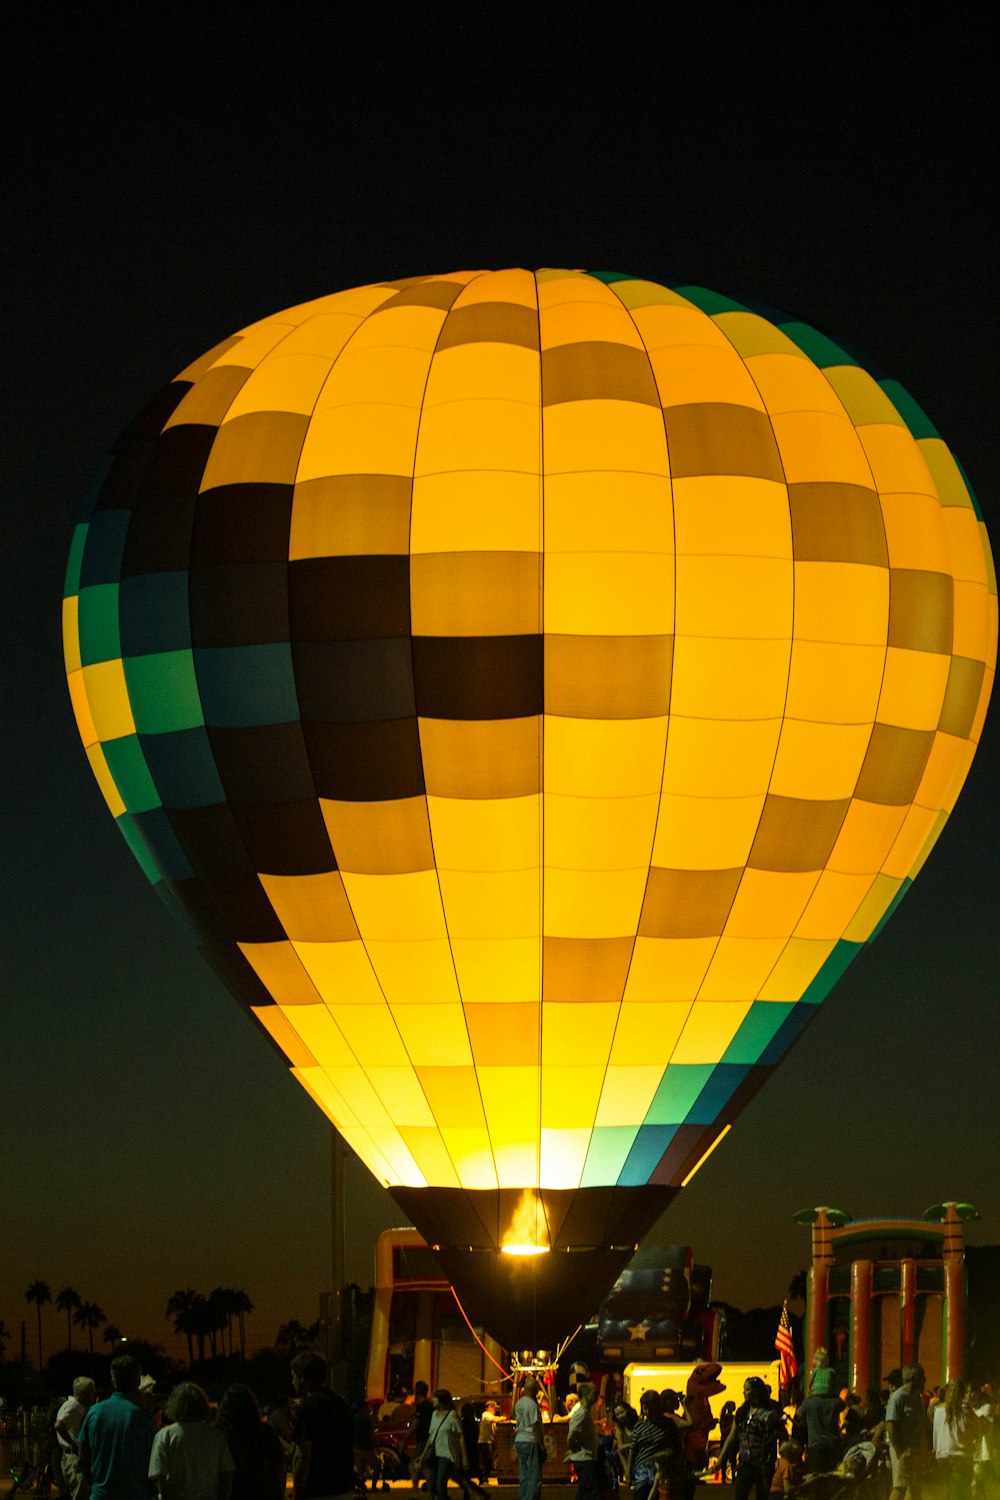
x=142, y=1441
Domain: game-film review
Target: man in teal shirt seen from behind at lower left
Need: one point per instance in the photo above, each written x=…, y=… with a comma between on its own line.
x=116, y=1438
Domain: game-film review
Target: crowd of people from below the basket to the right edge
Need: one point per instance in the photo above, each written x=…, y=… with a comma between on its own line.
x=822, y=1444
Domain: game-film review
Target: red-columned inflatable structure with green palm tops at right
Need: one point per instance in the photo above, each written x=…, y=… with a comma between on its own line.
x=888, y=1292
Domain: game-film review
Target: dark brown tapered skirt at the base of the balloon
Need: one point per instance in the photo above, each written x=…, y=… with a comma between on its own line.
x=533, y=1301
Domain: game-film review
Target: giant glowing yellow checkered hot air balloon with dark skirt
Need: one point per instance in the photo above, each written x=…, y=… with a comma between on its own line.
x=536, y=689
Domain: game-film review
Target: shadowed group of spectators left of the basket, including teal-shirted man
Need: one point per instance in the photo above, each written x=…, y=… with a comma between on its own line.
x=143, y=1442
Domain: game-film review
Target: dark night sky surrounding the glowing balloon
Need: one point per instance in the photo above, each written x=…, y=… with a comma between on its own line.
x=175, y=187
